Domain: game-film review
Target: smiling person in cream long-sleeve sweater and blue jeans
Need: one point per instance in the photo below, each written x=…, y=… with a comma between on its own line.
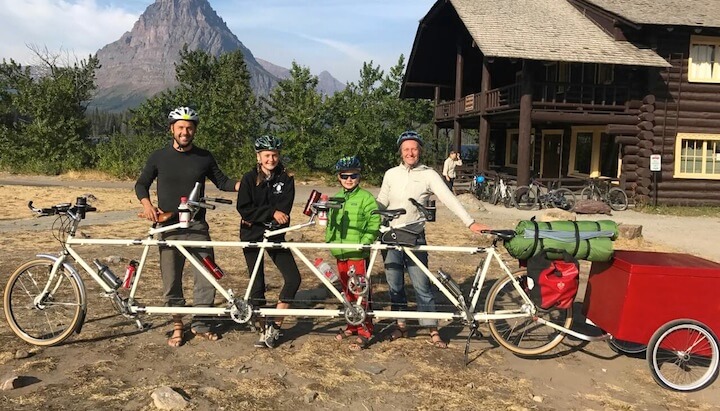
x=414, y=180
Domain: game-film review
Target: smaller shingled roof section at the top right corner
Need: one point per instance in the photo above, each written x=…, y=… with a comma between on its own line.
x=704, y=13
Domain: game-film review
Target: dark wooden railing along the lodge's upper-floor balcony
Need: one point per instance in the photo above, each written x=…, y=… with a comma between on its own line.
x=545, y=95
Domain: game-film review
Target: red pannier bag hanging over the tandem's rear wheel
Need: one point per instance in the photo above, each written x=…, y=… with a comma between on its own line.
x=553, y=284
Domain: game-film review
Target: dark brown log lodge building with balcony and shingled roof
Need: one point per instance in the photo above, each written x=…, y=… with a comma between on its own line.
x=580, y=88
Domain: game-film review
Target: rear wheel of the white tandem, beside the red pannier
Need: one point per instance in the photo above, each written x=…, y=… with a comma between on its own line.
x=523, y=334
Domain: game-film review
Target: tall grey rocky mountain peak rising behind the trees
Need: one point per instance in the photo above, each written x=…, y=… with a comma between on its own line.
x=142, y=62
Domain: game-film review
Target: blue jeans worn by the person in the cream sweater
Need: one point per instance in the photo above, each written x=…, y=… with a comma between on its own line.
x=396, y=262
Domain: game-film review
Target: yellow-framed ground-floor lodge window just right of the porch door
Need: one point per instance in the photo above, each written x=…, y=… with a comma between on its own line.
x=593, y=153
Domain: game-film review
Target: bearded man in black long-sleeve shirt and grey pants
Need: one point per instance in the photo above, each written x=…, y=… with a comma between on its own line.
x=177, y=168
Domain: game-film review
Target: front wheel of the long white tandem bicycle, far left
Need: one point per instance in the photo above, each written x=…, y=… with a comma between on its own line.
x=47, y=320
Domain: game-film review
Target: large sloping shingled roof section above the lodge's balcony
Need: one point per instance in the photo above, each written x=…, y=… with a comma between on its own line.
x=551, y=30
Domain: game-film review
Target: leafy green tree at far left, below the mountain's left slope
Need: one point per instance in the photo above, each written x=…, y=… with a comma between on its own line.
x=44, y=124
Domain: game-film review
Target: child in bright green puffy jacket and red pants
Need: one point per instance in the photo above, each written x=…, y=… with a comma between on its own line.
x=354, y=223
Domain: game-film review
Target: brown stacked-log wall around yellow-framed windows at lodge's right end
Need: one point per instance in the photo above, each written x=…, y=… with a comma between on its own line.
x=672, y=105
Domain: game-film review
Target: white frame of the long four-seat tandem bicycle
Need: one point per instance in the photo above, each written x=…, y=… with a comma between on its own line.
x=464, y=312
